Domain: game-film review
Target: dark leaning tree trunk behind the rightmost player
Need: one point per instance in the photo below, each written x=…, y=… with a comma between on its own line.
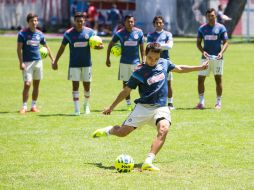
x=234, y=10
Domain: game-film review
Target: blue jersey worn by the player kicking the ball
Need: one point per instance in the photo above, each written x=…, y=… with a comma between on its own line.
x=152, y=82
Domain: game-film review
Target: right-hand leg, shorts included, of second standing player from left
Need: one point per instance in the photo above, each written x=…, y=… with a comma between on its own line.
x=86, y=77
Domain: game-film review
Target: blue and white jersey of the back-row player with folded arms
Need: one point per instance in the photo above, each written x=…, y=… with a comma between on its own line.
x=161, y=37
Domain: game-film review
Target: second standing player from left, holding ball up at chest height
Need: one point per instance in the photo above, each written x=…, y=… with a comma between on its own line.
x=80, y=65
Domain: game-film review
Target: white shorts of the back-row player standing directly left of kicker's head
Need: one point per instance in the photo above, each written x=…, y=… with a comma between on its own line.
x=125, y=71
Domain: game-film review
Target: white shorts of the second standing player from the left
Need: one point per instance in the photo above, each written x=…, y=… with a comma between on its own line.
x=80, y=74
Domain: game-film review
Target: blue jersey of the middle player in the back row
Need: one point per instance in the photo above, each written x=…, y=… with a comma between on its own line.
x=130, y=42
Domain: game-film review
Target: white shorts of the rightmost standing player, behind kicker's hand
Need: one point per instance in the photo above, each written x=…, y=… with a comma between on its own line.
x=215, y=66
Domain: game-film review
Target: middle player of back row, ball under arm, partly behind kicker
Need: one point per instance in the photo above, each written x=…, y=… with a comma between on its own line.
x=131, y=39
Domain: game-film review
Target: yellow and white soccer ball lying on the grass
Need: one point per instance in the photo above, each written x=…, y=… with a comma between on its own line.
x=124, y=163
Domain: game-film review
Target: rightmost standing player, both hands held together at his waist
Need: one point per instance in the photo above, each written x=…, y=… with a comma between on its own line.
x=215, y=44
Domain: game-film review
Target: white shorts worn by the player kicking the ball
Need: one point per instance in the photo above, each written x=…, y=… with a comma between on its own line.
x=146, y=114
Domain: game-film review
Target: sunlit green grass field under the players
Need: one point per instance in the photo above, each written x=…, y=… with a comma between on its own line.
x=52, y=149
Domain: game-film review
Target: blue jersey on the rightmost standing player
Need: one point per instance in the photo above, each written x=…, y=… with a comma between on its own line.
x=213, y=37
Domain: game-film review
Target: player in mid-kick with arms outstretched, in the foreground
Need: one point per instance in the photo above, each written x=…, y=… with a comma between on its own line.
x=151, y=108
